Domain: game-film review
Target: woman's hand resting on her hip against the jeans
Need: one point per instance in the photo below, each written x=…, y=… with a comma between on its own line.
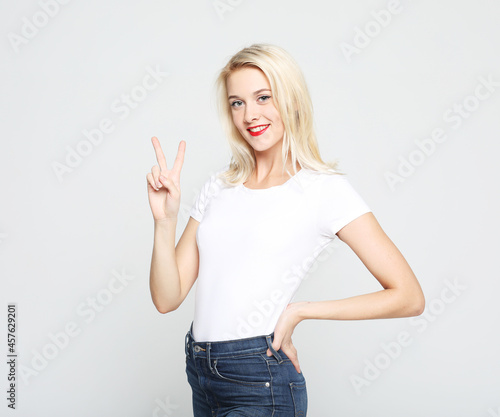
x=283, y=333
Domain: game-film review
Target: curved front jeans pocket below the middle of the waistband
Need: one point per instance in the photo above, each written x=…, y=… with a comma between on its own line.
x=248, y=370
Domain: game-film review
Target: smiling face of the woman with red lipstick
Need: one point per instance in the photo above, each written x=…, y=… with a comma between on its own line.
x=254, y=113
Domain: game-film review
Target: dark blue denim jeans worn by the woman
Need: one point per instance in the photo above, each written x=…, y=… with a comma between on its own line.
x=236, y=378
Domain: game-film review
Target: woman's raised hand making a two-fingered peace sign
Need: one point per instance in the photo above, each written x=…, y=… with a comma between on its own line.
x=164, y=187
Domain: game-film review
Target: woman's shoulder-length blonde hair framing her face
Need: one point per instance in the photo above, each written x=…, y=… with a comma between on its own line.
x=293, y=102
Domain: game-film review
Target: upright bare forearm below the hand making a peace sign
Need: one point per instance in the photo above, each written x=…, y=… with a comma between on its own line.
x=164, y=281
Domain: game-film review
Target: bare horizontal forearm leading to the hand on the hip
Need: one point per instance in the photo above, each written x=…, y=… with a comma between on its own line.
x=388, y=303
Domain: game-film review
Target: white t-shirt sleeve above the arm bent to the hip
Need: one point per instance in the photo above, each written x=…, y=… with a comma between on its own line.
x=340, y=204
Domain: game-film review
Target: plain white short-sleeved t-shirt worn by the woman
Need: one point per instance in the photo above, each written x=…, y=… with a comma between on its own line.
x=256, y=246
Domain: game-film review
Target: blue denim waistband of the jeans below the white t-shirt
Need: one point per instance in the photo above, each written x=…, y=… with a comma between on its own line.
x=227, y=348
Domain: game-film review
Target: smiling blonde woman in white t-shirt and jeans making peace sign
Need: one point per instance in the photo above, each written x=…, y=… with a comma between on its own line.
x=255, y=228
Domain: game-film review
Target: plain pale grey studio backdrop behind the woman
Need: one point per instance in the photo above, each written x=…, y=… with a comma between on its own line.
x=406, y=96
